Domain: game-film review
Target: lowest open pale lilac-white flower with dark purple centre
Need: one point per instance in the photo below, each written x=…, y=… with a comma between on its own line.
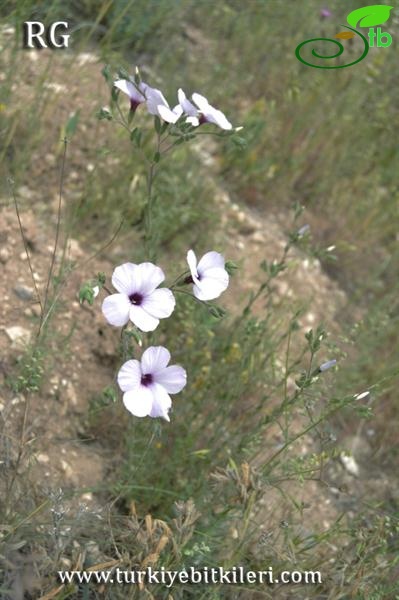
x=147, y=383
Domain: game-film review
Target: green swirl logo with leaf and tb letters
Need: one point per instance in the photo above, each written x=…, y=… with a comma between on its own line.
x=368, y=16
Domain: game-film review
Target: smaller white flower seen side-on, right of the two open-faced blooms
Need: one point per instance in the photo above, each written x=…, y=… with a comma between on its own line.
x=209, y=277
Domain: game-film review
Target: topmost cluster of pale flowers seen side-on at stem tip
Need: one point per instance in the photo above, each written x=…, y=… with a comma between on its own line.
x=196, y=111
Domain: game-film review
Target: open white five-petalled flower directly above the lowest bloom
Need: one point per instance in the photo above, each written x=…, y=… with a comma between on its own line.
x=138, y=299
